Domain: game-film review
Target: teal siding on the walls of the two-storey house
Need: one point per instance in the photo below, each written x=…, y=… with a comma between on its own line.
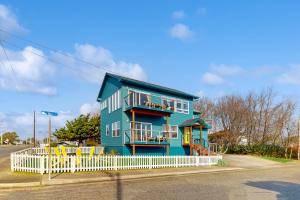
x=117, y=143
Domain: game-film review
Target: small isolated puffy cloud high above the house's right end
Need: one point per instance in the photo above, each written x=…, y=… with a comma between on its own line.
x=181, y=32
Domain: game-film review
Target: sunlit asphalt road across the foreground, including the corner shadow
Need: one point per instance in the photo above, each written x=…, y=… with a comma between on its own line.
x=256, y=184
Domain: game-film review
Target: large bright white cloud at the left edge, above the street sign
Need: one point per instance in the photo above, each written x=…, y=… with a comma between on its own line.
x=25, y=71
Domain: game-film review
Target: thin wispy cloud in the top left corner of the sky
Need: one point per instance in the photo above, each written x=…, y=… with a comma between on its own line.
x=9, y=21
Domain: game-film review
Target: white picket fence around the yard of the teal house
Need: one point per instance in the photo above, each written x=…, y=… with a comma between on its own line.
x=39, y=163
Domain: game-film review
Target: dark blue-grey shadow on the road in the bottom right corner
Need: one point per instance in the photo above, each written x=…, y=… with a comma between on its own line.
x=286, y=190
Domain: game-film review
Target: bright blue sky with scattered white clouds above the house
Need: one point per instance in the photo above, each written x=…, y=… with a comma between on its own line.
x=208, y=48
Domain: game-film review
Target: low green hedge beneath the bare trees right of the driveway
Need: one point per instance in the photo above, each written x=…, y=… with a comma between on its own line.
x=259, y=149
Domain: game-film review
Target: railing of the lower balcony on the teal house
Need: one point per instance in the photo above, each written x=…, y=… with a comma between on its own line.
x=137, y=136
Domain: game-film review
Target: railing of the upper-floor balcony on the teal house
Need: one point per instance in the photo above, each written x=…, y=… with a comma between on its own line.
x=148, y=101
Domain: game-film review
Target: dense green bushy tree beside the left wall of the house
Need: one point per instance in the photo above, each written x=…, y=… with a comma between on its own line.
x=81, y=128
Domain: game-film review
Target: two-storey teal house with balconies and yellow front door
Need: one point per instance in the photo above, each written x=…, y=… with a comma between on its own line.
x=143, y=118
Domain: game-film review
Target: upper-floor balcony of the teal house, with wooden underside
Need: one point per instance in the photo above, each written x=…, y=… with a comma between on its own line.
x=148, y=104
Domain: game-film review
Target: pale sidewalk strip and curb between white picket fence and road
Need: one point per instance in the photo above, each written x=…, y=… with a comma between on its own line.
x=31, y=180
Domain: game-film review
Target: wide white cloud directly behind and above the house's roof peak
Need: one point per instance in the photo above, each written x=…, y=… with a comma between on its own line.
x=102, y=60
